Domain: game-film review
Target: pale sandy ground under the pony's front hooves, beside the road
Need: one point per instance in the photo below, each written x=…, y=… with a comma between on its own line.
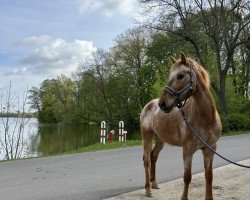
x=230, y=182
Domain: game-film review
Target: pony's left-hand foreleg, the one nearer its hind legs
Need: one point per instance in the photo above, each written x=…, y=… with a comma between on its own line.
x=187, y=158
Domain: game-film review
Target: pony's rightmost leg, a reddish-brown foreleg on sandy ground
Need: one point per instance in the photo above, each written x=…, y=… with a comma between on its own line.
x=208, y=164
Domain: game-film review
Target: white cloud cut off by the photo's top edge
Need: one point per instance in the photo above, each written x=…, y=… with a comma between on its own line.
x=109, y=8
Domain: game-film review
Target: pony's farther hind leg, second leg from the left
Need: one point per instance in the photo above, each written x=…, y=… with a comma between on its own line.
x=154, y=156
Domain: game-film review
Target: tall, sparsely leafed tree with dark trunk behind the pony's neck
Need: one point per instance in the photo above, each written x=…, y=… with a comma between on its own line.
x=221, y=23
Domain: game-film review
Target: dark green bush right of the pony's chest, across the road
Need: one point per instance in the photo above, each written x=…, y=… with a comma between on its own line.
x=236, y=122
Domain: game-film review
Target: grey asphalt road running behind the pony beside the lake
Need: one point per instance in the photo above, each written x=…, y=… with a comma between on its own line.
x=102, y=174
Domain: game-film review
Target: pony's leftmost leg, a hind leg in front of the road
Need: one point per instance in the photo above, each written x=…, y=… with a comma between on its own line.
x=147, y=148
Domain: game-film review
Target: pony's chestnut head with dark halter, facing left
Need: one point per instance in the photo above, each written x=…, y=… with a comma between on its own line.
x=182, y=82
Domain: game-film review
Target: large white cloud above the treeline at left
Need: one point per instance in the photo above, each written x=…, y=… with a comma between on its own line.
x=52, y=56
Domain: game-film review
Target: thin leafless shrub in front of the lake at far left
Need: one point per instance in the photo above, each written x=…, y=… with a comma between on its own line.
x=13, y=118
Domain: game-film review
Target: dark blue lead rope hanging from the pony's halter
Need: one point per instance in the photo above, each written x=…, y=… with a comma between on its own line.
x=200, y=139
